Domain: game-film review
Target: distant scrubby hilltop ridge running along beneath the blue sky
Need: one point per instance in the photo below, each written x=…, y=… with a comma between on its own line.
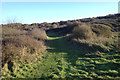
x=110, y=20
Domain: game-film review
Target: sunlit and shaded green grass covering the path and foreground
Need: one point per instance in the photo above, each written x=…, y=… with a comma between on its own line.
x=64, y=60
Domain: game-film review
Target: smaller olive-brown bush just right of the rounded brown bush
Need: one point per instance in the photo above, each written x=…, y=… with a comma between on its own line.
x=102, y=30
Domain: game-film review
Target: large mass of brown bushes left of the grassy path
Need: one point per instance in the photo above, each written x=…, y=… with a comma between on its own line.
x=17, y=45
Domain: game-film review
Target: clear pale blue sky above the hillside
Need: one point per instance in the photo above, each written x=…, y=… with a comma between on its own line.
x=38, y=12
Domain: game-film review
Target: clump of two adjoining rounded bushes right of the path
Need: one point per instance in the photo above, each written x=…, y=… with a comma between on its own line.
x=96, y=35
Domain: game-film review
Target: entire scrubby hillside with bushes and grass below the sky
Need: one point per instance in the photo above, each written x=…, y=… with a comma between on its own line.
x=82, y=49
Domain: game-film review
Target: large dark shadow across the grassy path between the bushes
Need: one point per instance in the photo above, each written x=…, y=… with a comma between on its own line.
x=71, y=52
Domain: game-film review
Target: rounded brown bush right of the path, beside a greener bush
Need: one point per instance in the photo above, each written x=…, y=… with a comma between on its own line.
x=82, y=31
